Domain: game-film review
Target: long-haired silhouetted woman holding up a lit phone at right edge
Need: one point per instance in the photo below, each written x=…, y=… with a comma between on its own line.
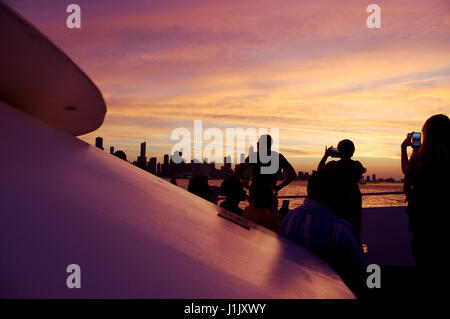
x=427, y=190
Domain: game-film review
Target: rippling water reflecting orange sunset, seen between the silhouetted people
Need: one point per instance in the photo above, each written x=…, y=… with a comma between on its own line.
x=297, y=188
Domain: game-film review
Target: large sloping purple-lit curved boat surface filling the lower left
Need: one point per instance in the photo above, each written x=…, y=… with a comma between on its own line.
x=134, y=235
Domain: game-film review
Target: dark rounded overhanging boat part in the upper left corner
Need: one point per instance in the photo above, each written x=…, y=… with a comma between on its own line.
x=38, y=78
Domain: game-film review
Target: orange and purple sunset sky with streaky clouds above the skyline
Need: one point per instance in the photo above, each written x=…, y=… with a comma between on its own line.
x=312, y=69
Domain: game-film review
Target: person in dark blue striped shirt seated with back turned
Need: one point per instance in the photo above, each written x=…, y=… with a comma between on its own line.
x=315, y=226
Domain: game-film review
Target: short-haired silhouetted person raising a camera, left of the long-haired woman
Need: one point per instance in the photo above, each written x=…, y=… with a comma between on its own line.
x=345, y=173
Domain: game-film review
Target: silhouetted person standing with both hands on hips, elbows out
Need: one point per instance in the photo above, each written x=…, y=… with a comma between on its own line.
x=263, y=188
